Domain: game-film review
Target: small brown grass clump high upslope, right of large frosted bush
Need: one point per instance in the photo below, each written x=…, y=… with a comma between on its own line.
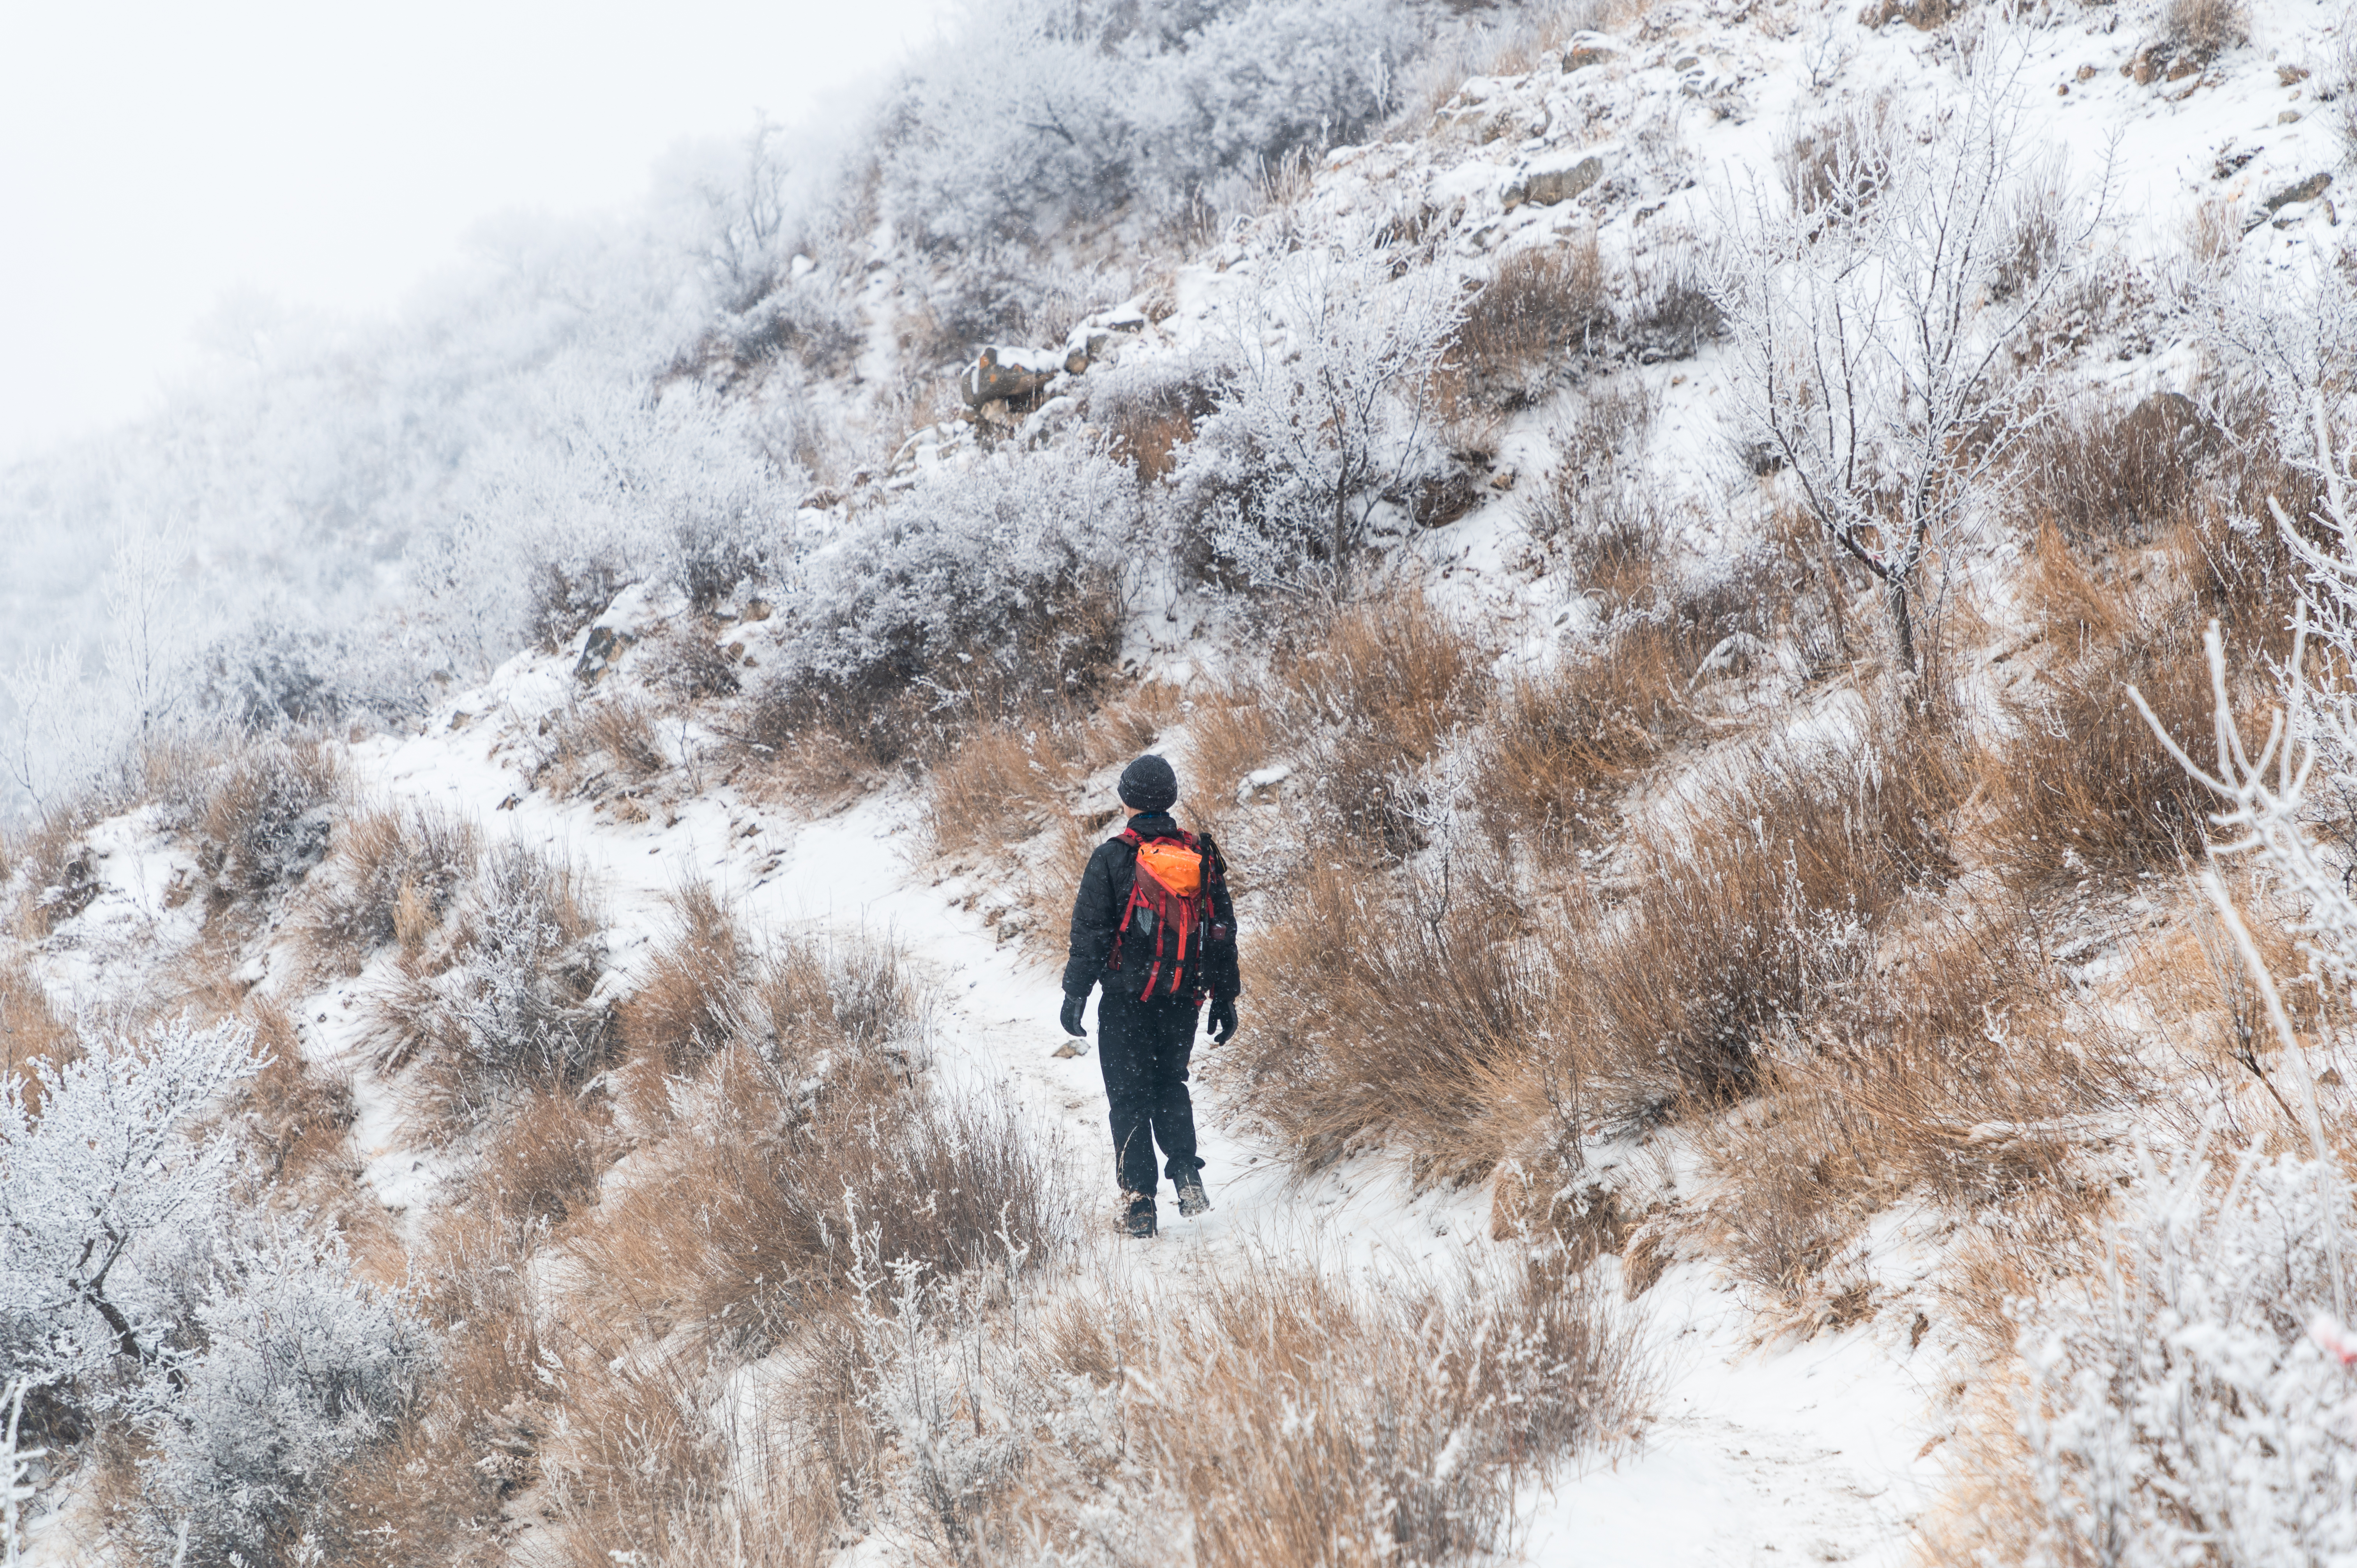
x=1531, y=319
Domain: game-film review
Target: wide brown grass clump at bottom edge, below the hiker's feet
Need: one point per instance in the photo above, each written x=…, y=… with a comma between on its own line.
x=1335, y=1425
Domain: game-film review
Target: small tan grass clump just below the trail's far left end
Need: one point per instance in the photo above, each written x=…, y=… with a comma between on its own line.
x=395, y=876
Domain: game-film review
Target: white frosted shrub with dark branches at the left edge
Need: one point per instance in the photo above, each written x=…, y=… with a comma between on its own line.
x=110, y=1194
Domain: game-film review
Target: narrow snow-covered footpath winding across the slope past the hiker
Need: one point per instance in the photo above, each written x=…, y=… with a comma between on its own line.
x=1814, y=1454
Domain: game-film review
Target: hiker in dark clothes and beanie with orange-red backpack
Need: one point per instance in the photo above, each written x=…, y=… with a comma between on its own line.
x=1156, y=925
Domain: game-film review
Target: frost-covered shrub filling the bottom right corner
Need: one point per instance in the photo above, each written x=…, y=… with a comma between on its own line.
x=2184, y=1411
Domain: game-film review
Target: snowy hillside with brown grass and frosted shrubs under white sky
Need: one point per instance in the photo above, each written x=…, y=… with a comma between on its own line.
x=1653, y=553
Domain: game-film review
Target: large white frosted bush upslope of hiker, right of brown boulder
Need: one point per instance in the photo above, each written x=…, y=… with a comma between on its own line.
x=1326, y=416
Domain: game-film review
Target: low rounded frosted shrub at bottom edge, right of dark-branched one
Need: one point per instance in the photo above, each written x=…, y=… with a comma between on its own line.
x=298, y=1369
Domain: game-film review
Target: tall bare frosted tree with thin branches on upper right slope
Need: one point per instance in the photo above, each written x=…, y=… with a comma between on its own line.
x=1877, y=301
